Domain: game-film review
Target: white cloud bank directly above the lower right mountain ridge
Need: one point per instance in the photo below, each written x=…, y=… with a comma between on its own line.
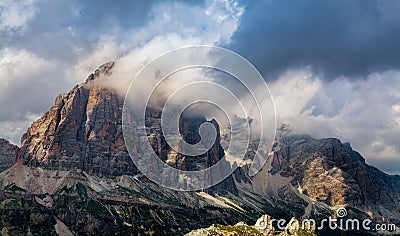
x=364, y=112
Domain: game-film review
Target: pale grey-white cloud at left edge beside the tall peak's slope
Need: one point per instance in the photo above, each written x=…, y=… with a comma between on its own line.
x=28, y=86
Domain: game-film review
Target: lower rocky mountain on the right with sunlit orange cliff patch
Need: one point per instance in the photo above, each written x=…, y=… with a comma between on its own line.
x=307, y=177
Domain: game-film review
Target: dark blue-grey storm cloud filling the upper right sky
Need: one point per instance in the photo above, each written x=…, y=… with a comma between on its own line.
x=336, y=38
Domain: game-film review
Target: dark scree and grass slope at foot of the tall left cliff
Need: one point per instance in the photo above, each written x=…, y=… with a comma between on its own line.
x=39, y=201
